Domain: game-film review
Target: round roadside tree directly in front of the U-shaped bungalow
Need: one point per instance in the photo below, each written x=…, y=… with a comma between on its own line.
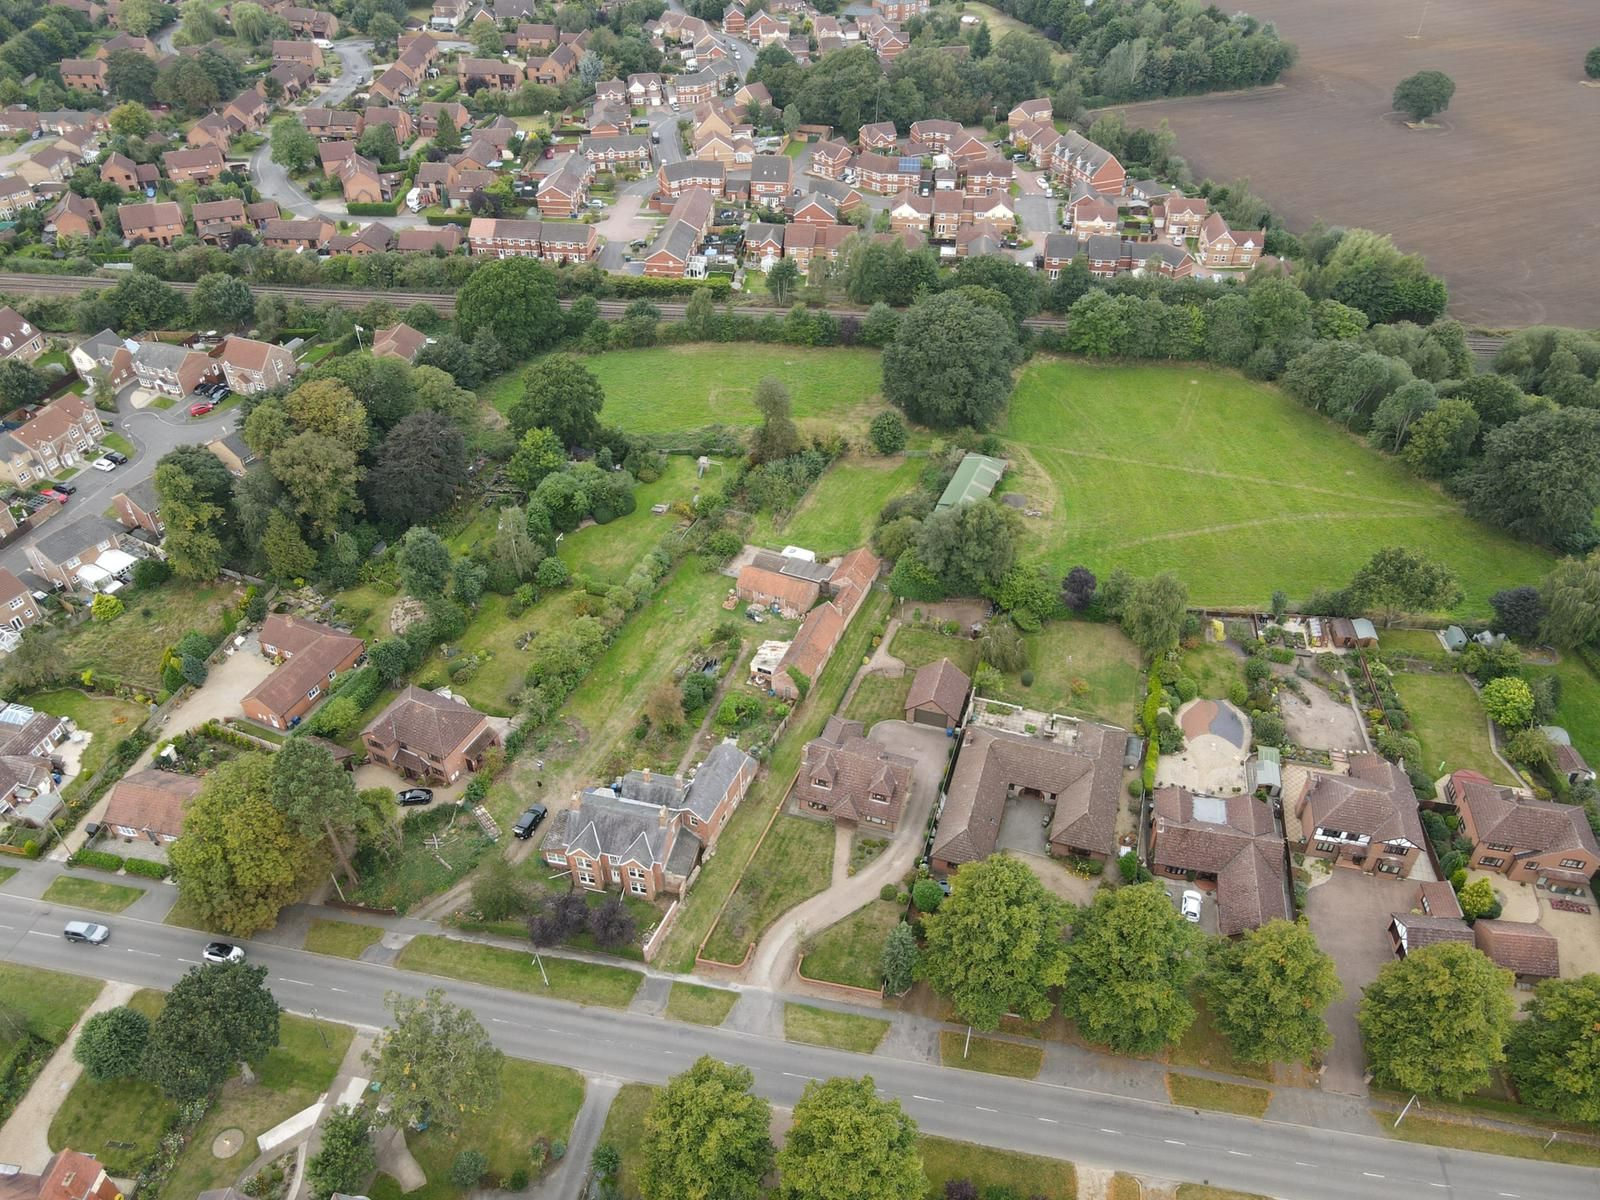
x=996, y=945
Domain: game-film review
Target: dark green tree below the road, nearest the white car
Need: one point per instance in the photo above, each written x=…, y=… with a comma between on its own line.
x=215, y=1018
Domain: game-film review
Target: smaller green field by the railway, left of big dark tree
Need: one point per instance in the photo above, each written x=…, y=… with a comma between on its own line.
x=681, y=388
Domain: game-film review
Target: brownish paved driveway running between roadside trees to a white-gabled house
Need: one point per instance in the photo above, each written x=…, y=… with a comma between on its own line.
x=1350, y=918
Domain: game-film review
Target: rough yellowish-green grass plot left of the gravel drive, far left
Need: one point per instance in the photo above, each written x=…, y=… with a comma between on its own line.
x=130, y=649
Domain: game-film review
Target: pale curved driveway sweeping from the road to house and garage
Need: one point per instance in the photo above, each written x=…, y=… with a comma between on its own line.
x=777, y=954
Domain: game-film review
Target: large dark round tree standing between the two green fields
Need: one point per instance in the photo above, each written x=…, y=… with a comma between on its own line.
x=951, y=362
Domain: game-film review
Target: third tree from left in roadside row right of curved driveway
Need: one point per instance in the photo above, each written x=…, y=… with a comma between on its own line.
x=1268, y=993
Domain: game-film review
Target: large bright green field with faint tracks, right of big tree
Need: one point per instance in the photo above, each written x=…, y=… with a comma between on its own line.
x=1230, y=484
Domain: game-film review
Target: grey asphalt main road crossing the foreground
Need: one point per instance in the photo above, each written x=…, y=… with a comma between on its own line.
x=1276, y=1159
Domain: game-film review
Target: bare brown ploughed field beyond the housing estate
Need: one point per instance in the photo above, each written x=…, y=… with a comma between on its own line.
x=1500, y=199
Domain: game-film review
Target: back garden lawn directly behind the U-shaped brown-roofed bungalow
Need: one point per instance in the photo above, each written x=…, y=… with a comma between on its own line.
x=1079, y=668
